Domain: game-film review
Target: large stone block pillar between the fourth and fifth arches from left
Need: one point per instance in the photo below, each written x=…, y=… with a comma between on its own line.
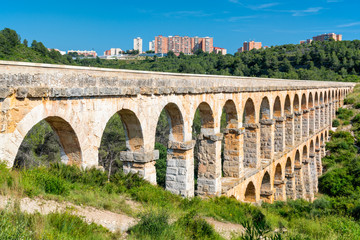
x=209, y=175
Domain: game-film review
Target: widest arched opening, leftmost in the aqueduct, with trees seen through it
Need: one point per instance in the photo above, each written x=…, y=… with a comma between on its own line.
x=51, y=140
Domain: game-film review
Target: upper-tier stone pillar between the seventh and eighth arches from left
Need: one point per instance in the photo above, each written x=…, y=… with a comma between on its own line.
x=267, y=138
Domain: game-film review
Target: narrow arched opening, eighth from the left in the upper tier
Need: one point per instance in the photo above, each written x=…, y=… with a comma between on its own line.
x=279, y=140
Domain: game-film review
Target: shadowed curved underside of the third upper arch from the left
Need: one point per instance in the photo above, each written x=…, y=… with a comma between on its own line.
x=176, y=122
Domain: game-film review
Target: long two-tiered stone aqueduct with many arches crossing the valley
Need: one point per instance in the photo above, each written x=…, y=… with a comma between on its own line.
x=274, y=139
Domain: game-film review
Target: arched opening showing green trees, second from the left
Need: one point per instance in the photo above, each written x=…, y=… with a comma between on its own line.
x=123, y=132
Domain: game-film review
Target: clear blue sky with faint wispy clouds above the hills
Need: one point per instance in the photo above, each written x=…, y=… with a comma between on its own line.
x=101, y=25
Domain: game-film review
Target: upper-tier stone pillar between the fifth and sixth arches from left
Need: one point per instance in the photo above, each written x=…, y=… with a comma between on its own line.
x=233, y=152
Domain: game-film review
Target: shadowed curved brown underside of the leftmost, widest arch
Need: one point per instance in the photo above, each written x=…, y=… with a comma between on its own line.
x=67, y=138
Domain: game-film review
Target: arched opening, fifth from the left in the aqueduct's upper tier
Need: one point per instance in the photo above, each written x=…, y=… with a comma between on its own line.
x=231, y=157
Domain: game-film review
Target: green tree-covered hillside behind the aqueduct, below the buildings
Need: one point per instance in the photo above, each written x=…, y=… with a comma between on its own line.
x=331, y=61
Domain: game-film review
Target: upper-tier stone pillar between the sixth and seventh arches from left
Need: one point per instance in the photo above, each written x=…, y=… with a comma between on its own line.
x=251, y=145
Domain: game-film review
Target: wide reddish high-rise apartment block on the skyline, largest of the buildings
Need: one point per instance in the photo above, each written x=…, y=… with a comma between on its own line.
x=186, y=45
